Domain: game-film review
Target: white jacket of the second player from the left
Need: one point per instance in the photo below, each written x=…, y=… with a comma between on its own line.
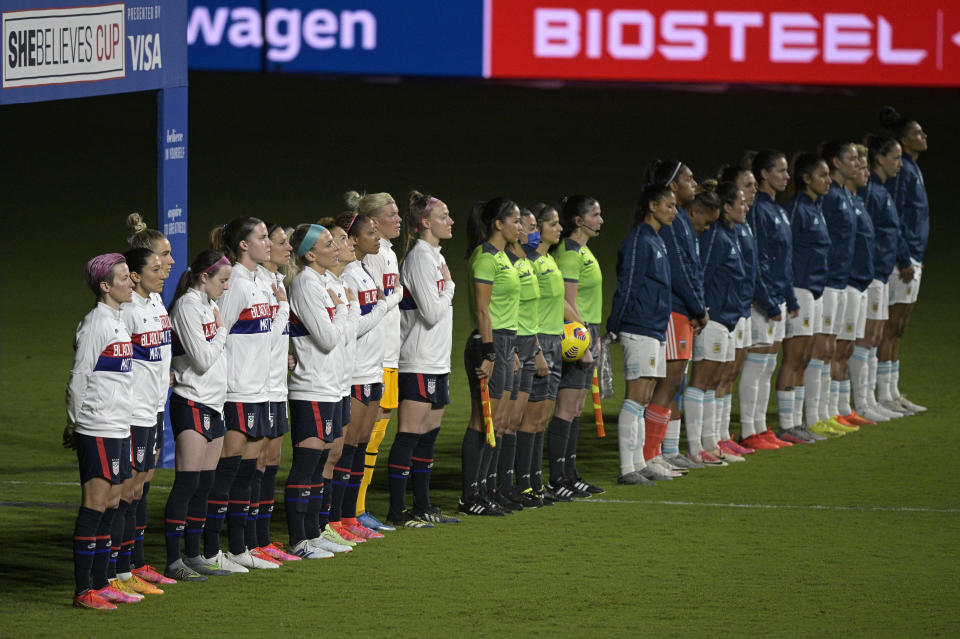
x=147, y=323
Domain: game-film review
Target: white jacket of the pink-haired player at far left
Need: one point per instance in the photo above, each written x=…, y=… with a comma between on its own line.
x=99, y=402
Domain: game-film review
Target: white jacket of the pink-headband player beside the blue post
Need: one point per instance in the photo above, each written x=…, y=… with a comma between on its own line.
x=199, y=351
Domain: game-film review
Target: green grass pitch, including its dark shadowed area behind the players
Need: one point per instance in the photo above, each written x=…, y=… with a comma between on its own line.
x=852, y=537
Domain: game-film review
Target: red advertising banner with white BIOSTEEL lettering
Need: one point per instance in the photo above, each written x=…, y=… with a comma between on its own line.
x=882, y=42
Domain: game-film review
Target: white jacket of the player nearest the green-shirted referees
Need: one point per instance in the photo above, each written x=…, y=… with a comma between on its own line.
x=426, y=312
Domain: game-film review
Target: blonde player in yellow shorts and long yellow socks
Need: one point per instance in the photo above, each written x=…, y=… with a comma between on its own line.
x=384, y=268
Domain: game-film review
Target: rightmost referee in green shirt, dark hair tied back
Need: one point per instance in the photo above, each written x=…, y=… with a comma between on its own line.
x=581, y=220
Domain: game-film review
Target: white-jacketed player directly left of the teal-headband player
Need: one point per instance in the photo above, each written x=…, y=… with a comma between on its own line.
x=270, y=276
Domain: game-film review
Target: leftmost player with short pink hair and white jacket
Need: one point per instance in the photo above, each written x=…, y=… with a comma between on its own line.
x=99, y=410
